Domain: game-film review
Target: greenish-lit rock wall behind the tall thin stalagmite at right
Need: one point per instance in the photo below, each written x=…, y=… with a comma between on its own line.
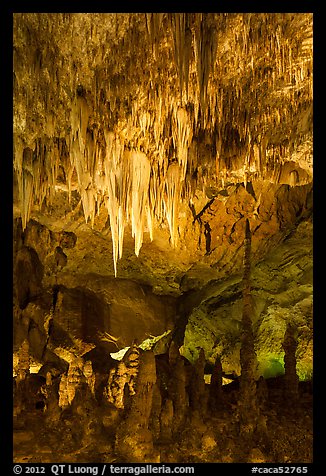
x=282, y=293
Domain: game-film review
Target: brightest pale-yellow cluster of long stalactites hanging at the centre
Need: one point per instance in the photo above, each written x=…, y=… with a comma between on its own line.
x=135, y=189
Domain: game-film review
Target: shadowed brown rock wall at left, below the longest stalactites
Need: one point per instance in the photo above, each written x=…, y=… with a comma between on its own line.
x=58, y=318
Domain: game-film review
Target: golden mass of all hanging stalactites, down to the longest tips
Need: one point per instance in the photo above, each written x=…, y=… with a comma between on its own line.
x=129, y=129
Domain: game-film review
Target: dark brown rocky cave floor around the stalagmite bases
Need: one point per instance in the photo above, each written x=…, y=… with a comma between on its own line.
x=288, y=439
